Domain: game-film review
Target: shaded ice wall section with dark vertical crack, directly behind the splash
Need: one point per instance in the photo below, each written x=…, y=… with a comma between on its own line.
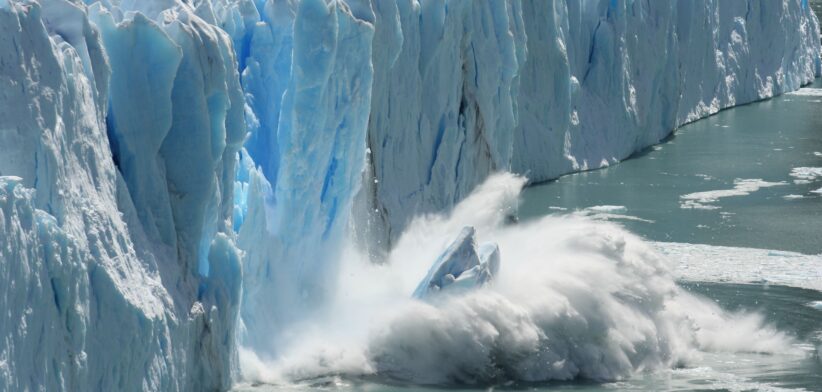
x=444, y=107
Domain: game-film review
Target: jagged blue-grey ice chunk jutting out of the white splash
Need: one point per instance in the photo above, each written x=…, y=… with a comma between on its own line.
x=461, y=266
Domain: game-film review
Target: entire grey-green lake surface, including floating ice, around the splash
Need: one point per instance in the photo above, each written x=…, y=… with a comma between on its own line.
x=732, y=198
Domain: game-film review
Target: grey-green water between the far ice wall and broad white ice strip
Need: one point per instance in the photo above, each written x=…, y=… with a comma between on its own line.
x=744, y=177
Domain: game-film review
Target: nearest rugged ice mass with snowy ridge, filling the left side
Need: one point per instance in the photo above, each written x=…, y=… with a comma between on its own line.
x=112, y=191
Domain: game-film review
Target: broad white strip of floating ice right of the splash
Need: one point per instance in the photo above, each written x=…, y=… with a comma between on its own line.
x=706, y=263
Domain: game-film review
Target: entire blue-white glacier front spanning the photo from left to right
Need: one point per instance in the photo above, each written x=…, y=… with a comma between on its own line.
x=178, y=178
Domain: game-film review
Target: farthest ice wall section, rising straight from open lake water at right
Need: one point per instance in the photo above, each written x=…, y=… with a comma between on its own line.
x=631, y=72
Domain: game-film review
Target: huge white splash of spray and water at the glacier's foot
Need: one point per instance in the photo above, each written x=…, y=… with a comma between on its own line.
x=574, y=298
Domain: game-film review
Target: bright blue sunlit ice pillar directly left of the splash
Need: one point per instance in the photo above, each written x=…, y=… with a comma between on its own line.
x=314, y=153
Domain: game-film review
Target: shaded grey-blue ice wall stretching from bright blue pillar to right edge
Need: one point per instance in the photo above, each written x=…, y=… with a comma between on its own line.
x=544, y=88
